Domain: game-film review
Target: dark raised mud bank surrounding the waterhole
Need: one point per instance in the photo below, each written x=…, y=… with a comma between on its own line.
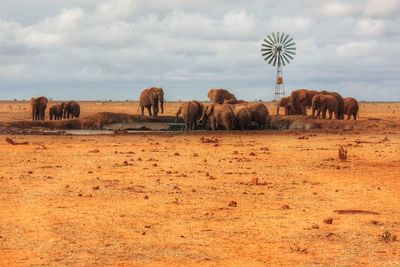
x=118, y=121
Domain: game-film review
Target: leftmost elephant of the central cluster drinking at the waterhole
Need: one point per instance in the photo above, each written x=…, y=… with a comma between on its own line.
x=191, y=112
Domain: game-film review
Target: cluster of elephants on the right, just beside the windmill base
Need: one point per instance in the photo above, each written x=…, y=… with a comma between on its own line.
x=320, y=102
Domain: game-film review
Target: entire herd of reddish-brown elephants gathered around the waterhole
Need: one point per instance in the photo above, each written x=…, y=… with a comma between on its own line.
x=224, y=111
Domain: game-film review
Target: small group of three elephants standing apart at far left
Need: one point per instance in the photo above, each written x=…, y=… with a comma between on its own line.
x=65, y=110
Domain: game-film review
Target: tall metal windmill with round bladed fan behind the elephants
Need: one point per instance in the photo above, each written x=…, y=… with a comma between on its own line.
x=278, y=49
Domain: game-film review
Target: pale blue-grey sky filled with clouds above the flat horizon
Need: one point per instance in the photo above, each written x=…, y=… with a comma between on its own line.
x=97, y=50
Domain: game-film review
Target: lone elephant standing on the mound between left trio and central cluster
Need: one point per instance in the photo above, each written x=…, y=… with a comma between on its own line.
x=149, y=99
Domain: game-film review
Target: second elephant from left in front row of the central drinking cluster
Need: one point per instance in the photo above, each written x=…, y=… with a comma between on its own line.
x=219, y=115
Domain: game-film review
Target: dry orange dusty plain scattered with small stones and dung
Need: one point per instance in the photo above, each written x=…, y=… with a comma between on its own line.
x=201, y=198
